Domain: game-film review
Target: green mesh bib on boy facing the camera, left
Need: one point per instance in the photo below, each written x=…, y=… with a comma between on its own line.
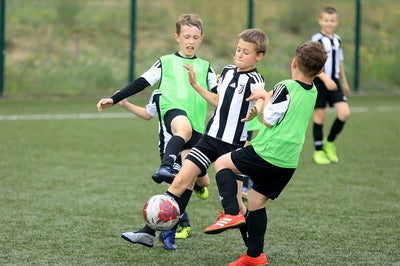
x=177, y=93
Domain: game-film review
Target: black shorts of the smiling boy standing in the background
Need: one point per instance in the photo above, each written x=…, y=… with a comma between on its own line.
x=326, y=96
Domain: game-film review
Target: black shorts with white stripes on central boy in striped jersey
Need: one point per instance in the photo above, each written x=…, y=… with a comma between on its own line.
x=207, y=151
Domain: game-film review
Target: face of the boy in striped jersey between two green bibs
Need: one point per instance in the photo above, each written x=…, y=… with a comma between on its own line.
x=246, y=56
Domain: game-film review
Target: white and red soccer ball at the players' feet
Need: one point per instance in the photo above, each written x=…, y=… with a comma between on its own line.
x=161, y=212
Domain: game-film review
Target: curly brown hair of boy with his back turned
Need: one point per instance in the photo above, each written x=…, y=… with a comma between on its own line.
x=311, y=57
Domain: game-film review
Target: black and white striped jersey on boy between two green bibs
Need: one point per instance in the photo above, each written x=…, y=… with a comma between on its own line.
x=233, y=89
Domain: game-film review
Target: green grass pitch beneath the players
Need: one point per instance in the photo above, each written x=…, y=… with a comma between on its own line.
x=71, y=184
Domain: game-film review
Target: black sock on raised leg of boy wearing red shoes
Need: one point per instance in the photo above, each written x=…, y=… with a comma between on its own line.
x=227, y=187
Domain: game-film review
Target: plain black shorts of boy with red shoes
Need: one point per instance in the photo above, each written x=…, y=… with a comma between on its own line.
x=268, y=179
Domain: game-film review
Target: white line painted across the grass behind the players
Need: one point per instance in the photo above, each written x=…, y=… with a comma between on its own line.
x=129, y=115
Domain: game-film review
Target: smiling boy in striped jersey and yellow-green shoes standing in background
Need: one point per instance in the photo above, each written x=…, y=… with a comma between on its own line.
x=330, y=89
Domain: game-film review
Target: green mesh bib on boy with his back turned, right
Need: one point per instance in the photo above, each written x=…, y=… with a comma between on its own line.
x=281, y=144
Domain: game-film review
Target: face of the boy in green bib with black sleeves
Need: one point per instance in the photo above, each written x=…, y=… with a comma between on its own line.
x=189, y=40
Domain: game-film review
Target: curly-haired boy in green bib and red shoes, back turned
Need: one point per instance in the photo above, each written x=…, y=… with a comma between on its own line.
x=273, y=155
